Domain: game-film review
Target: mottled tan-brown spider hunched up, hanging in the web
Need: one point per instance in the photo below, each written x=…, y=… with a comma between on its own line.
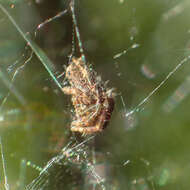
x=93, y=102
